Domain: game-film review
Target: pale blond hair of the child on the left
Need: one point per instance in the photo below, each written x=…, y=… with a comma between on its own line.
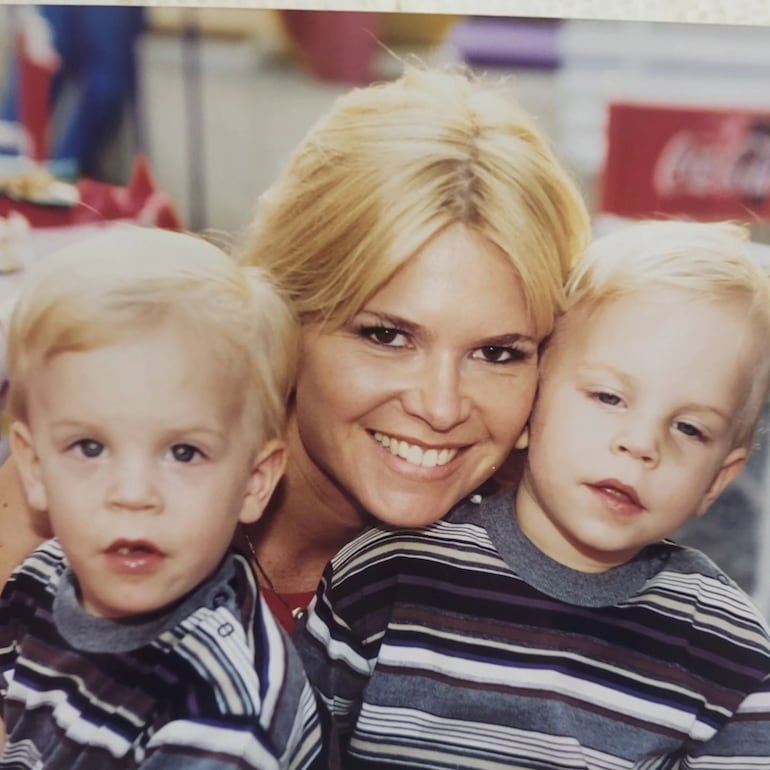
x=124, y=283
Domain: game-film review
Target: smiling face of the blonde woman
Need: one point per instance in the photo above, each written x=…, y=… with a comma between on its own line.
x=416, y=401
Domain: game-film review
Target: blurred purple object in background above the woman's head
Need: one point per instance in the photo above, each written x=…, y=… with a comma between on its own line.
x=505, y=42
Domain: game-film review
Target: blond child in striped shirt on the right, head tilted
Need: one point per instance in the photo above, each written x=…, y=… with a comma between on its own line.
x=555, y=625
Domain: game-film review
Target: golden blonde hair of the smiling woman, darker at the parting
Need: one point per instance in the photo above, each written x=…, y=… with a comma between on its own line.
x=392, y=165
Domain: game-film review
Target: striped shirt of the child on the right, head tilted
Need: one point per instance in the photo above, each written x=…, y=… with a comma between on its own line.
x=463, y=646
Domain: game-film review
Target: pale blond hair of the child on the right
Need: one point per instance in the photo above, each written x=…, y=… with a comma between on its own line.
x=710, y=261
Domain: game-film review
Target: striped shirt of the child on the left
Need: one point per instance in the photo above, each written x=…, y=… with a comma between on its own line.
x=213, y=683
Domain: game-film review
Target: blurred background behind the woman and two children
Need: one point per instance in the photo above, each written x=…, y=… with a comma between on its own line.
x=652, y=118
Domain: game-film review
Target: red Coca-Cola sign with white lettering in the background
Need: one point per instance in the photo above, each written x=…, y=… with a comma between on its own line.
x=700, y=163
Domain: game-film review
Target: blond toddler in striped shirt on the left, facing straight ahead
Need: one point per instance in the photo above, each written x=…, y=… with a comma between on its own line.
x=149, y=378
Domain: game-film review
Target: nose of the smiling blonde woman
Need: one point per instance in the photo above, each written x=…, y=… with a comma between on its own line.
x=437, y=394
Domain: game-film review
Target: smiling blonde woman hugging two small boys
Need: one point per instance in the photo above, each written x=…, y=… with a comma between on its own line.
x=423, y=230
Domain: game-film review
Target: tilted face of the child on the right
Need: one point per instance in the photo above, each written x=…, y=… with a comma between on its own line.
x=631, y=434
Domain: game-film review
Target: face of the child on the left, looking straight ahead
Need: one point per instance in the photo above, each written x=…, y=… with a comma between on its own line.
x=139, y=453
